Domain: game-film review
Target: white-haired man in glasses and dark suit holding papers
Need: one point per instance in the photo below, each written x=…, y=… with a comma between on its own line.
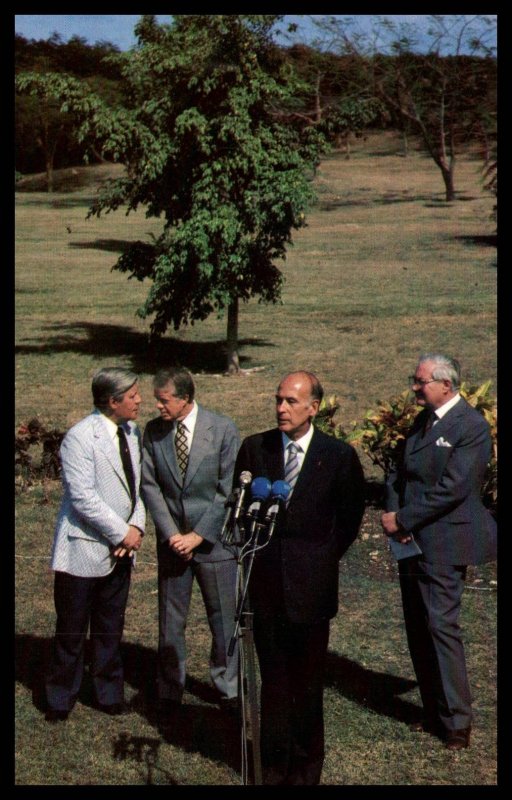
x=434, y=497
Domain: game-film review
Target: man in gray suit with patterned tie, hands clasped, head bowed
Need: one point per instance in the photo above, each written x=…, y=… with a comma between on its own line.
x=187, y=470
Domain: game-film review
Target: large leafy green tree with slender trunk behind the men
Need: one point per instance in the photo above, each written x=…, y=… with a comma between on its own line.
x=205, y=150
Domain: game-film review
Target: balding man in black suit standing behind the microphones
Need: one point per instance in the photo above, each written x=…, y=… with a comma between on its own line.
x=293, y=587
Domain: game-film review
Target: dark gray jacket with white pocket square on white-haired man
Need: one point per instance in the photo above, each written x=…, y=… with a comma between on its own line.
x=438, y=488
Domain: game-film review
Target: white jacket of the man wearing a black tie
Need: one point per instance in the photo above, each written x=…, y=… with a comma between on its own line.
x=96, y=506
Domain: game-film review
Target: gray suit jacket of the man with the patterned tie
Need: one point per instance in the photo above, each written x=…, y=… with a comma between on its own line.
x=196, y=503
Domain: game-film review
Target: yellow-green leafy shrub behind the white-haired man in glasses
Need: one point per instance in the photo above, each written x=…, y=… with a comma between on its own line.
x=382, y=433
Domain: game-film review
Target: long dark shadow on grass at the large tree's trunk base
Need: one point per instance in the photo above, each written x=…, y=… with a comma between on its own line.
x=145, y=356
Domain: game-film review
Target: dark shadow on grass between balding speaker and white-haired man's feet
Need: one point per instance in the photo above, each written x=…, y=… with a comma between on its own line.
x=377, y=691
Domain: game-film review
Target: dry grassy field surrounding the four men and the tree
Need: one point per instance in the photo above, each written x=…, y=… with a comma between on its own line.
x=384, y=271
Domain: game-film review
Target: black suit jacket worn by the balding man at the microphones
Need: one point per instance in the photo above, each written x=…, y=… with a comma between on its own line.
x=298, y=572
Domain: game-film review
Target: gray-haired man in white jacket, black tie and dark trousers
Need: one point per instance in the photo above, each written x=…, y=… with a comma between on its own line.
x=99, y=527
